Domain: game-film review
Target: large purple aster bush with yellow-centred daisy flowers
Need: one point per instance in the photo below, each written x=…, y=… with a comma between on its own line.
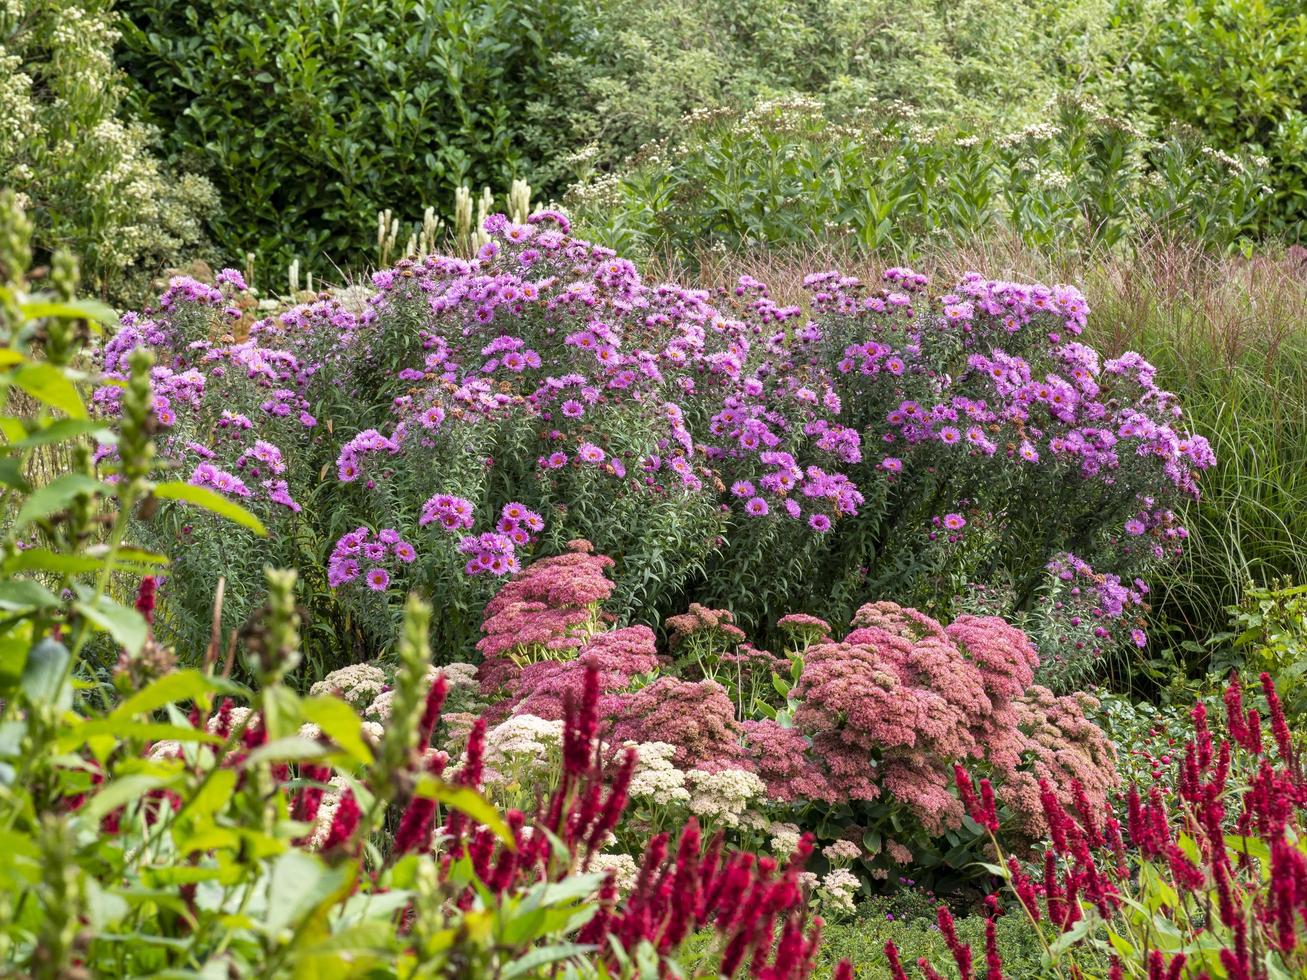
x=729, y=449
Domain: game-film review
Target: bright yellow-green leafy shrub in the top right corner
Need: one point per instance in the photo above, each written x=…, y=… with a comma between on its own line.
x=1237, y=71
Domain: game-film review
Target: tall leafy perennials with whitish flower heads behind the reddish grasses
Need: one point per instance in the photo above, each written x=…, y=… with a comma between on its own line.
x=799, y=176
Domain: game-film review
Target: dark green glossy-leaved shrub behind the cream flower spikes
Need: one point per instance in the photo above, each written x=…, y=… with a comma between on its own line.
x=314, y=116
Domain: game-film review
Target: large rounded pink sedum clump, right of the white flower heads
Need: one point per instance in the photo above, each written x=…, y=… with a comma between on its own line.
x=895, y=705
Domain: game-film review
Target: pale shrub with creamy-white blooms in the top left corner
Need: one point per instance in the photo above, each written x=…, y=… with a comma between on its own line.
x=90, y=178
